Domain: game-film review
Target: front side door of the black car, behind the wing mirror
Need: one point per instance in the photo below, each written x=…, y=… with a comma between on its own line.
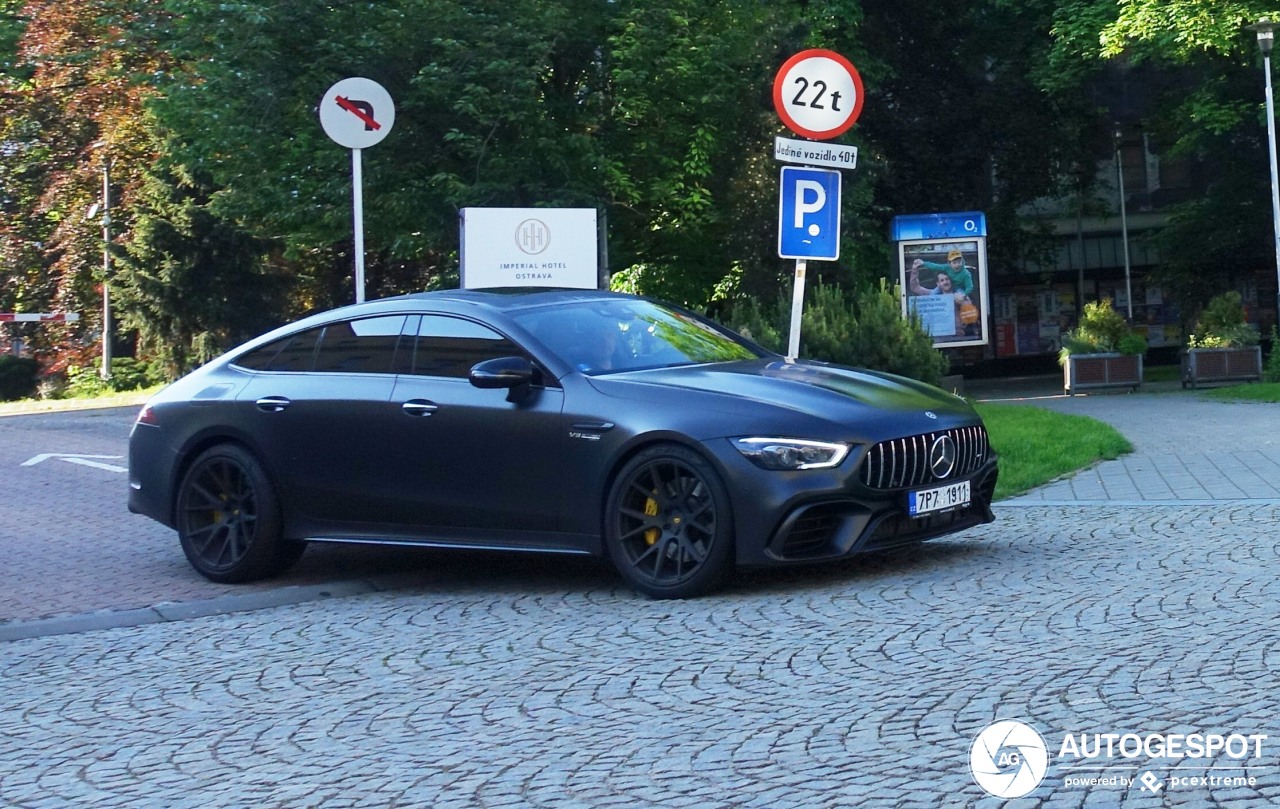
x=469, y=461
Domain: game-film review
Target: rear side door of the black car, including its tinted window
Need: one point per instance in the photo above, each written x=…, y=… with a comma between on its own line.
x=313, y=413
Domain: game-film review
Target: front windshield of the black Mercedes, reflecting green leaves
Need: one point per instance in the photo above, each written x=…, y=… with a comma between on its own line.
x=605, y=337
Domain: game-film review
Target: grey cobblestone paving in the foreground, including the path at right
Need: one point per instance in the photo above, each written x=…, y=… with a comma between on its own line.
x=499, y=682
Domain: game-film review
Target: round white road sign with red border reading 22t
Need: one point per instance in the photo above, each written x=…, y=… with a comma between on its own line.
x=819, y=94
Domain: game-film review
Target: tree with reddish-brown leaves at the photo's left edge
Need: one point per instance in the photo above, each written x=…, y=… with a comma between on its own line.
x=71, y=104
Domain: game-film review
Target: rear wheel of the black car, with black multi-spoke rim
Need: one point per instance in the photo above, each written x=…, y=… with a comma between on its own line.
x=228, y=519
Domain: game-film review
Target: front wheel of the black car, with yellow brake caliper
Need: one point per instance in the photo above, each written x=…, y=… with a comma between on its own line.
x=669, y=528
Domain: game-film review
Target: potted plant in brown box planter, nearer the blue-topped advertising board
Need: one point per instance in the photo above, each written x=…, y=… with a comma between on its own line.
x=1101, y=353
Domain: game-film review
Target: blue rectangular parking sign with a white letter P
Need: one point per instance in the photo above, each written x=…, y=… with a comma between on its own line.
x=810, y=214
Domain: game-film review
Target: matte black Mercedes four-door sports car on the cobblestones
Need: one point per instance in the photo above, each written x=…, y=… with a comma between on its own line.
x=572, y=422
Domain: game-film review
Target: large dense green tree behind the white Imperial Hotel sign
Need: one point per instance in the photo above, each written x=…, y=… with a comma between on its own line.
x=646, y=112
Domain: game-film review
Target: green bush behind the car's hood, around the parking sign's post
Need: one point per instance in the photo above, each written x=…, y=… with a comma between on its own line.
x=865, y=330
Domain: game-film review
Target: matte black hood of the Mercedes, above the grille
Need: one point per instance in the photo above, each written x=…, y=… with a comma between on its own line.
x=881, y=405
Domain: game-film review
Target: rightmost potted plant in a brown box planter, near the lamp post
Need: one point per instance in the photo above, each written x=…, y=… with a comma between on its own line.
x=1223, y=348
